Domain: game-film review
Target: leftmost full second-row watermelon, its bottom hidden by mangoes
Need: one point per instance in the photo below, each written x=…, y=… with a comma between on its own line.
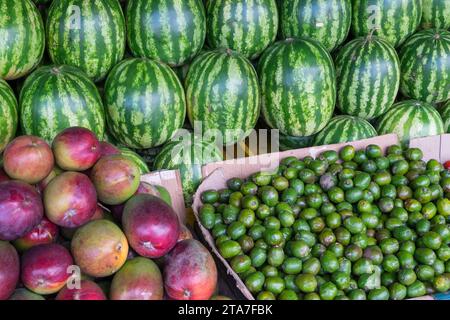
x=54, y=98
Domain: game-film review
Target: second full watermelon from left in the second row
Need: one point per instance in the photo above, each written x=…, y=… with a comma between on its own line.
x=145, y=103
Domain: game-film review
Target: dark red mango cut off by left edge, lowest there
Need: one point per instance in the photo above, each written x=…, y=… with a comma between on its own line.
x=9, y=269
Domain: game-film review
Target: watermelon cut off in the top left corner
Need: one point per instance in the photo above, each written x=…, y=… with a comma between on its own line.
x=22, y=38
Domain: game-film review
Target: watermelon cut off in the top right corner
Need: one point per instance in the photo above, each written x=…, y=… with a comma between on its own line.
x=436, y=14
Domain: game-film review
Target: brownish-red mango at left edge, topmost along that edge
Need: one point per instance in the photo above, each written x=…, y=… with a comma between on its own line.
x=28, y=158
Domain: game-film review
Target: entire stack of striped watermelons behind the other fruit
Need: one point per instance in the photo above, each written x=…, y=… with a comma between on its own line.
x=135, y=71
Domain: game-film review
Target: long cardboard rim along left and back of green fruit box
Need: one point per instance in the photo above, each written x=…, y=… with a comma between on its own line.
x=216, y=175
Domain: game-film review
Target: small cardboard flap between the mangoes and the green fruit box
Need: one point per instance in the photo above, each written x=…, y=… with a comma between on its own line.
x=169, y=179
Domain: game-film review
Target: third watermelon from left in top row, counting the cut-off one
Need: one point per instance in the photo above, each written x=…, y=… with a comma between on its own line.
x=171, y=31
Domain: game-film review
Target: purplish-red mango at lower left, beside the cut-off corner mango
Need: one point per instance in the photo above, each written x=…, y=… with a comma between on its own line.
x=44, y=268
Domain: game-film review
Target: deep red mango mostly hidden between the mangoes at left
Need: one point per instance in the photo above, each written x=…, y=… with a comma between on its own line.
x=45, y=232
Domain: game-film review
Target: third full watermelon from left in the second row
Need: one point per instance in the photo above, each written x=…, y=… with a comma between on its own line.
x=222, y=92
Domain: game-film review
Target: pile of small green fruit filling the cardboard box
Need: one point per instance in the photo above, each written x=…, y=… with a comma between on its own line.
x=346, y=225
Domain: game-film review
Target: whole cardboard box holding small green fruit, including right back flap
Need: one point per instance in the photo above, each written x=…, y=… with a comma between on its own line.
x=216, y=174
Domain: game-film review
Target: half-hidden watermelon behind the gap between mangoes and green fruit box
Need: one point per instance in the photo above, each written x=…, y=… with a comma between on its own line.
x=187, y=153
